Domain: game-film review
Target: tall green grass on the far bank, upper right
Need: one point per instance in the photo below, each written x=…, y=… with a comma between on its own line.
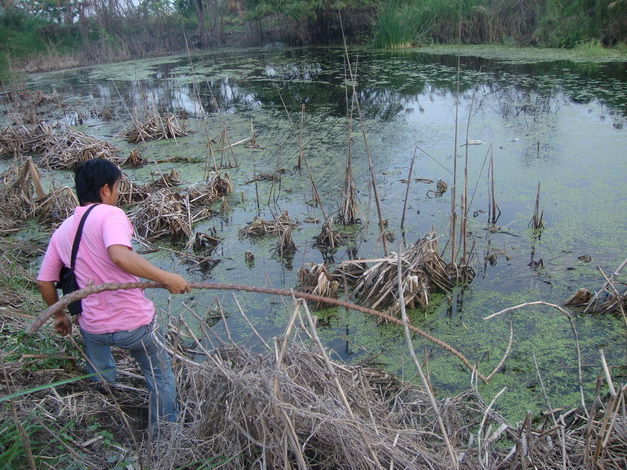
x=548, y=23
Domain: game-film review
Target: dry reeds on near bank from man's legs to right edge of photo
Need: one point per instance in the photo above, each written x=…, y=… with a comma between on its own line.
x=295, y=408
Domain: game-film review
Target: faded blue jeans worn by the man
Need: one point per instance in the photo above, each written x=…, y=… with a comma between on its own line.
x=153, y=360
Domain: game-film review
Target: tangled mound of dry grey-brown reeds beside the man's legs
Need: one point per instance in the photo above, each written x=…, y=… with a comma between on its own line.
x=261, y=412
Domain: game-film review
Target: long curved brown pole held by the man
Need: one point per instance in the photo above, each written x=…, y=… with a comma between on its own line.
x=87, y=291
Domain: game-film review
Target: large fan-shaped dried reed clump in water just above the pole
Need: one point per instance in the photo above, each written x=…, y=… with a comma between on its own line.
x=423, y=271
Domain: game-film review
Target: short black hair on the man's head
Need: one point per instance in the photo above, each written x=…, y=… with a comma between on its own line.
x=92, y=175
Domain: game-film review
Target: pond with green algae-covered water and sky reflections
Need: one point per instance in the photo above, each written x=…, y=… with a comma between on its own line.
x=549, y=122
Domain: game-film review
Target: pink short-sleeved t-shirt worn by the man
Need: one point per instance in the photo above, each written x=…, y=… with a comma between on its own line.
x=105, y=312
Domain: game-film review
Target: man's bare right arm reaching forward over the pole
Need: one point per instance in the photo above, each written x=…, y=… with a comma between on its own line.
x=126, y=259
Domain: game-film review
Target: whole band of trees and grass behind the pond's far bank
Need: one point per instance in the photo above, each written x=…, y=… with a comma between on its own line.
x=100, y=30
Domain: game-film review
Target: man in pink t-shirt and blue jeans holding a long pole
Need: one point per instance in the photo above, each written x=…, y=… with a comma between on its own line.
x=123, y=318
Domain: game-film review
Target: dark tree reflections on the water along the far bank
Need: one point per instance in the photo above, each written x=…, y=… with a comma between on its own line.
x=387, y=84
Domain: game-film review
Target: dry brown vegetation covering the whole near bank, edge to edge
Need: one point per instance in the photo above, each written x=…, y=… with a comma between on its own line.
x=294, y=407
